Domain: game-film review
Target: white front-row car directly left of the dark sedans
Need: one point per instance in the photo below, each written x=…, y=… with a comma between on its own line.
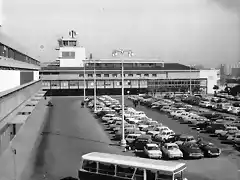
x=171, y=150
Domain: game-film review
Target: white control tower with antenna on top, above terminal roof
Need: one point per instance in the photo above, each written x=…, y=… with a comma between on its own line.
x=71, y=54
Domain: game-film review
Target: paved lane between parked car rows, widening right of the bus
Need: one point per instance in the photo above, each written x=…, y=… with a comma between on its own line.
x=222, y=168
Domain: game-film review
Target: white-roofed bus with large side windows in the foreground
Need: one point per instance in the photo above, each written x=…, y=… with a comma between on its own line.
x=105, y=166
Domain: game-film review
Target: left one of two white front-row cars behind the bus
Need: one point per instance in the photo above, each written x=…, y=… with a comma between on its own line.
x=152, y=150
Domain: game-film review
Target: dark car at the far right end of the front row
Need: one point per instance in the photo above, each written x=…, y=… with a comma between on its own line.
x=209, y=149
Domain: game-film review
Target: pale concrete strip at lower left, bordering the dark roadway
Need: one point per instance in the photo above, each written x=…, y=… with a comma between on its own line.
x=26, y=146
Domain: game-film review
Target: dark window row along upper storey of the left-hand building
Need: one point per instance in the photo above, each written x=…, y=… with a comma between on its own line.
x=16, y=55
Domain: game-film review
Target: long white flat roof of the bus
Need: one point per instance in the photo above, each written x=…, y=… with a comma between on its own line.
x=168, y=167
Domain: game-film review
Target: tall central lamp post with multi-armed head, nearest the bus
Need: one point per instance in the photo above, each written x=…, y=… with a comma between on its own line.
x=121, y=52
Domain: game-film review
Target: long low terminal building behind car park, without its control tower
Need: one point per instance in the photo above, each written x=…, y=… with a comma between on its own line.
x=141, y=75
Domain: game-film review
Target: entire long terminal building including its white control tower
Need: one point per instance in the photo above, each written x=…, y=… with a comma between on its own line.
x=140, y=75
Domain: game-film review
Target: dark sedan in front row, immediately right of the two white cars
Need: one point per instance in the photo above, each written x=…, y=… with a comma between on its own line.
x=191, y=150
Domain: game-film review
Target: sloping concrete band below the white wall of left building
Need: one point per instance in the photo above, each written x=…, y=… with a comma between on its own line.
x=11, y=101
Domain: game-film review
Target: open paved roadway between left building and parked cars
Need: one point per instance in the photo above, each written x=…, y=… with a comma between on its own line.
x=71, y=132
